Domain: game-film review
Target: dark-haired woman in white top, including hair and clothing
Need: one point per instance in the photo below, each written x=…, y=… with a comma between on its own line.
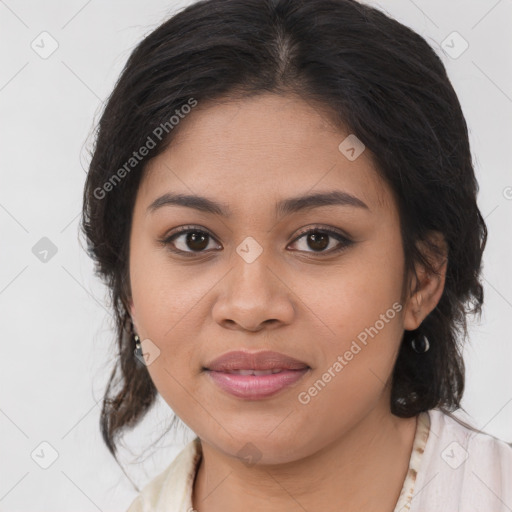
x=283, y=204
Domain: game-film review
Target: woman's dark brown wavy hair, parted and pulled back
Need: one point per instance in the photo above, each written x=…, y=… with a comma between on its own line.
x=377, y=77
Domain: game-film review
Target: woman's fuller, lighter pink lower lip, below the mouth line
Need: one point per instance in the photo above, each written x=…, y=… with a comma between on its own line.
x=256, y=387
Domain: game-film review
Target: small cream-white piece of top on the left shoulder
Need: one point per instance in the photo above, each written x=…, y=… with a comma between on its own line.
x=172, y=488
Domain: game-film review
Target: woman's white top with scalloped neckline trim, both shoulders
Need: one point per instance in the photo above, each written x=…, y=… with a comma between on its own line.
x=451, y=468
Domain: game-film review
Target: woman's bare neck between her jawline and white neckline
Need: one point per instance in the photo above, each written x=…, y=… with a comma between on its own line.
x=363, y=470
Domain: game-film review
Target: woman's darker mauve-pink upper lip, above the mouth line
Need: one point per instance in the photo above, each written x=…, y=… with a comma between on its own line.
x=264, y=360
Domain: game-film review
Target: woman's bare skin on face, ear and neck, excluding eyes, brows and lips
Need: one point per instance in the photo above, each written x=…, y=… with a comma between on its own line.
x=344, y=449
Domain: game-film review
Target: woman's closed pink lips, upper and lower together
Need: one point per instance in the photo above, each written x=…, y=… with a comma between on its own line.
x=255, y=375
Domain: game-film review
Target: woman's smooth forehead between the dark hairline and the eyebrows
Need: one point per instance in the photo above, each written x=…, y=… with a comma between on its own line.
x=261, y=148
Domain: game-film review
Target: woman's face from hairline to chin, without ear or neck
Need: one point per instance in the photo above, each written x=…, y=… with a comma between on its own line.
x=320, y=284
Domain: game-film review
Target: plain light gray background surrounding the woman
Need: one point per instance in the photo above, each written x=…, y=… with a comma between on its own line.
x=57, y=338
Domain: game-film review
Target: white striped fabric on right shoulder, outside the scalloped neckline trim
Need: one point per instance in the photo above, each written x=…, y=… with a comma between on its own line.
x=463, y=468
